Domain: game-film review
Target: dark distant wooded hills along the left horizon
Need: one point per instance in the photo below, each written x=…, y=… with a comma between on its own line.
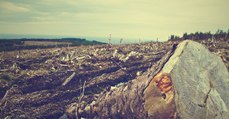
x=18, y=44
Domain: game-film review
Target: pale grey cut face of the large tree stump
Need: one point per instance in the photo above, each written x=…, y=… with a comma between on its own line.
x=200, y=81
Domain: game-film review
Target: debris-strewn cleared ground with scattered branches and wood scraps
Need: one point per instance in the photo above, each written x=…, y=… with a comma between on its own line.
x=43, y=83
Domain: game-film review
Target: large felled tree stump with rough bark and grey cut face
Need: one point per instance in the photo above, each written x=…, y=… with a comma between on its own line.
x=189, y=83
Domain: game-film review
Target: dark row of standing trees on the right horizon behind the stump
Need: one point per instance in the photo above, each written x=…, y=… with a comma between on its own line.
x=218, y=35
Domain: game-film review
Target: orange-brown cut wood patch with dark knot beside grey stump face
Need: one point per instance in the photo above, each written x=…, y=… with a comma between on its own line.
x=159, y=97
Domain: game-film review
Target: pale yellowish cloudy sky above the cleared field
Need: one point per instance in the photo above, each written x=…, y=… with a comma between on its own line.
x=127, y=19
